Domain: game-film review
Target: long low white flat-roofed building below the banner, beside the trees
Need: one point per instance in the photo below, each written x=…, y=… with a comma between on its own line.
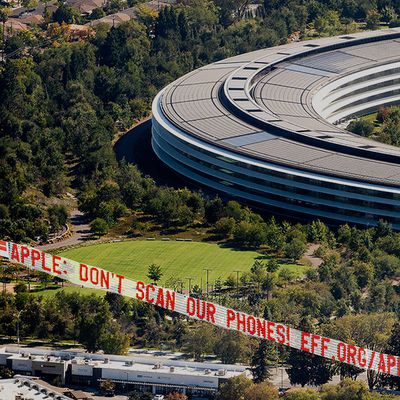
x=146, y=373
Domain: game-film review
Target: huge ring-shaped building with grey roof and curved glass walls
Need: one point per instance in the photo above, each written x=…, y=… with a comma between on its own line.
x=264, y=128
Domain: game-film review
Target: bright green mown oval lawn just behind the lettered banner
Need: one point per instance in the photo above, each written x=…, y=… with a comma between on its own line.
x=177, y=259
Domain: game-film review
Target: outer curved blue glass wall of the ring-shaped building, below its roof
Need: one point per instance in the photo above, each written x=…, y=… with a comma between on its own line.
x=311, y=195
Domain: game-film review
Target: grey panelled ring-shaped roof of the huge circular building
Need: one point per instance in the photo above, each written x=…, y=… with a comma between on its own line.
x=259, y=104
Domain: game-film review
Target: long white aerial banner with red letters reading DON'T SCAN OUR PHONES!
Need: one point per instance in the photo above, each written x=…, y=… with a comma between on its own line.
x=97, y=278
